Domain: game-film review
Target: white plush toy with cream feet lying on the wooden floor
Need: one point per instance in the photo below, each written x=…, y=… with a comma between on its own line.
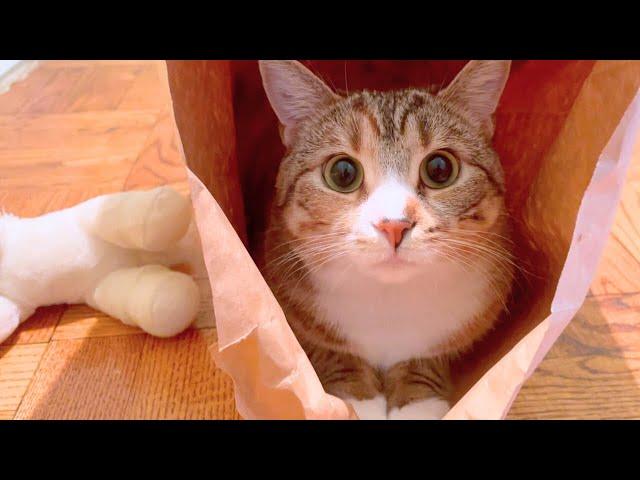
x=111, y=252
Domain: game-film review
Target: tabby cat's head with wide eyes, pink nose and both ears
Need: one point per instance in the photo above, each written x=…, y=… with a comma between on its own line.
x=385, y=181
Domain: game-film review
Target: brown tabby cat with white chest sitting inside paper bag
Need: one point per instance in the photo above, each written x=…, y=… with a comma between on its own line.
x=388, y=244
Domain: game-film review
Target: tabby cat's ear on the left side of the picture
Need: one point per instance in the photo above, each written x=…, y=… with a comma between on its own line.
x=294, y=93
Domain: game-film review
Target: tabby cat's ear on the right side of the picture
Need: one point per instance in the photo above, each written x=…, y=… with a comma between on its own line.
x=477, y=90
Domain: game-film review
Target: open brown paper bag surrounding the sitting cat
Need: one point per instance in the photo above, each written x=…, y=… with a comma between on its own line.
x=566, y=131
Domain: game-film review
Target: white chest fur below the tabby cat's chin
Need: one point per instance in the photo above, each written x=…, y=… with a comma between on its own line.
x=386, y=323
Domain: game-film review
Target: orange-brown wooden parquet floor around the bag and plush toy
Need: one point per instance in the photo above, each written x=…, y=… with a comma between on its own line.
x=73, y=130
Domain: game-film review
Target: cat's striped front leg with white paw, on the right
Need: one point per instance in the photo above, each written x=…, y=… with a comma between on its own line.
x=418, y=389
